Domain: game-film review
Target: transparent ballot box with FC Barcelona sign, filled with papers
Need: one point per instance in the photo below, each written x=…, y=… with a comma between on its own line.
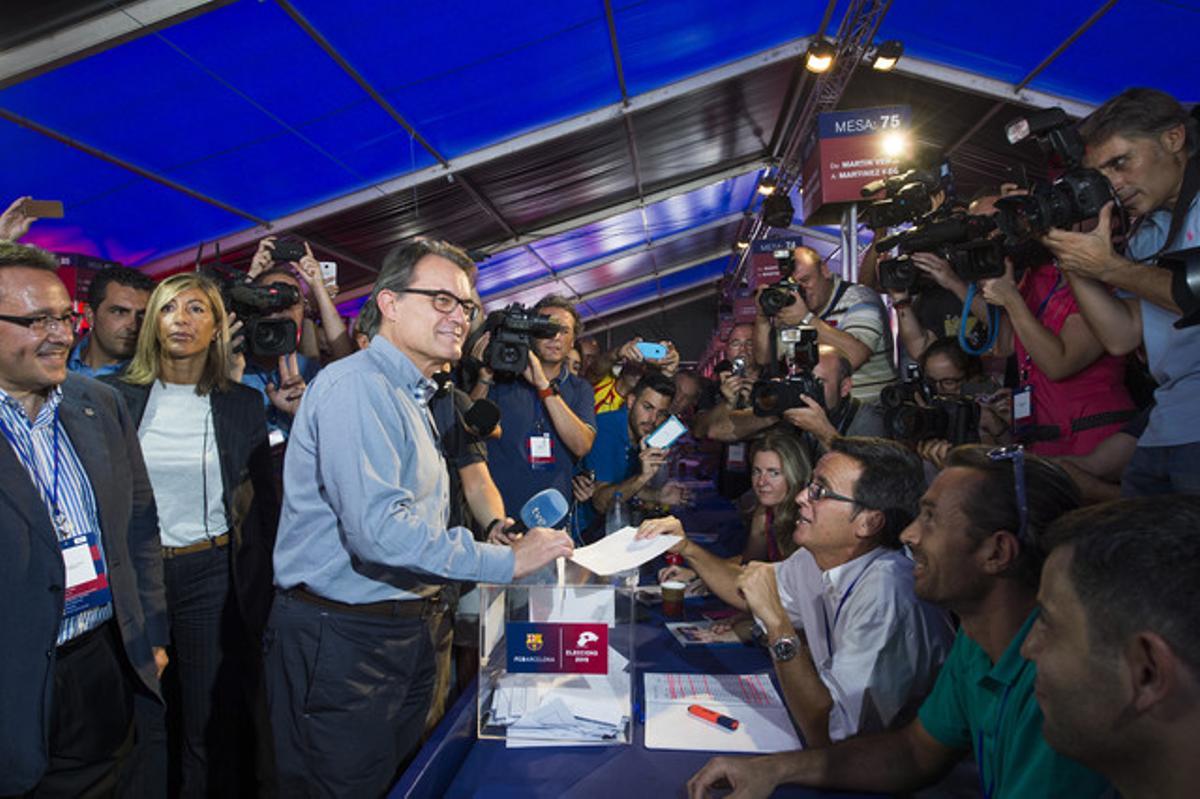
x=556, y=664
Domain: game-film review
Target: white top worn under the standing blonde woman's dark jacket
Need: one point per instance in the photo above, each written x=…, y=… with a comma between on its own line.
x=181, y=448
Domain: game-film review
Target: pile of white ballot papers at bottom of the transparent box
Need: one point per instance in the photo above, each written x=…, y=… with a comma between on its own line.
x=566, y=710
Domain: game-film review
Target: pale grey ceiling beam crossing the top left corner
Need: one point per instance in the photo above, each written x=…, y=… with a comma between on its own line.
x=95, y=35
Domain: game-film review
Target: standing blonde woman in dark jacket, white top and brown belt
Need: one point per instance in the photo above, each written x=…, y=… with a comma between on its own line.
x=205, y=441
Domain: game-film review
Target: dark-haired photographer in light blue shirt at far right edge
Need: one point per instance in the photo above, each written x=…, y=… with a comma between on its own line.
x=1145, y=145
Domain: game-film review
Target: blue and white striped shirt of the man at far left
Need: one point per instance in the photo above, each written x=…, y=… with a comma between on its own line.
x=34, y=446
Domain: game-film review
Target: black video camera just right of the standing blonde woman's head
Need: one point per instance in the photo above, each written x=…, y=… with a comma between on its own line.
x=262, y=337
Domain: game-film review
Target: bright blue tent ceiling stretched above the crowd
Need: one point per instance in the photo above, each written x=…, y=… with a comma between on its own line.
x=248, y=106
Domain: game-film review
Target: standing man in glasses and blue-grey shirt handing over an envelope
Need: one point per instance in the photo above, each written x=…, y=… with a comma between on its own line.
x=363, y=546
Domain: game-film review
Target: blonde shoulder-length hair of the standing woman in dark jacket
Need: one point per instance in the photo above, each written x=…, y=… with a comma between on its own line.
x=146, y=368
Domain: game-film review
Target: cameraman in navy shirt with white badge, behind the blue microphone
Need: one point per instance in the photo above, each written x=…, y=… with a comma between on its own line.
x=548, y=418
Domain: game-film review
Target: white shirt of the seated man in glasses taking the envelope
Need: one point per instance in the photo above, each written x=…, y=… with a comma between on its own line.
x=886, y=646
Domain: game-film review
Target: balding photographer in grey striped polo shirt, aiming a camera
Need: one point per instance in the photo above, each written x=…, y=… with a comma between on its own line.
x=845, y=315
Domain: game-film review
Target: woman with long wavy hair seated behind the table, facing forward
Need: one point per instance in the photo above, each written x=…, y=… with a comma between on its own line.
x=779, y=471
